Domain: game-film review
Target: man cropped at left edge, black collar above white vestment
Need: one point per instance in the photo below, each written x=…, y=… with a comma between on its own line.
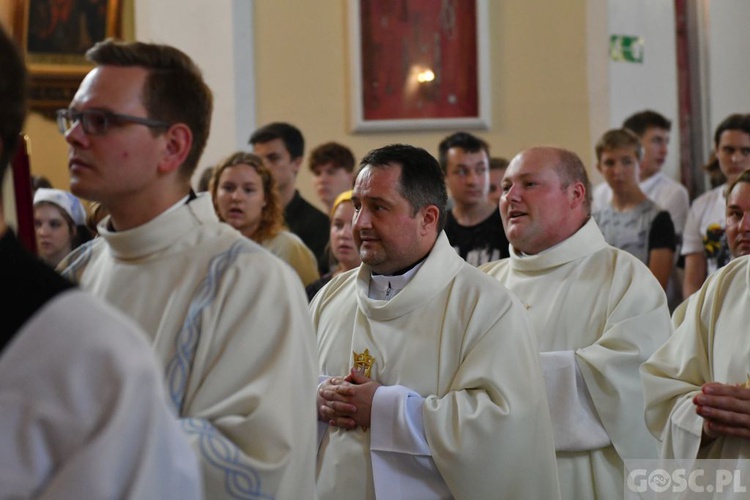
x=81, y=397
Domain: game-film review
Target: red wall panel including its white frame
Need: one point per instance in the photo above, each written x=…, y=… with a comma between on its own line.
x=419, y=64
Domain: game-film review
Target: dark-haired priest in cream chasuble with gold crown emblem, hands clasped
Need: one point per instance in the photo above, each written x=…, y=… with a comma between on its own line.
x=430, y=385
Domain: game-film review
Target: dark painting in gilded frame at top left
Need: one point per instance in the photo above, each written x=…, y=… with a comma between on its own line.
x=54, y=36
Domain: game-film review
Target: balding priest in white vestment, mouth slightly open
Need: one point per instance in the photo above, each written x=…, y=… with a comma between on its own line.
x=597, y=312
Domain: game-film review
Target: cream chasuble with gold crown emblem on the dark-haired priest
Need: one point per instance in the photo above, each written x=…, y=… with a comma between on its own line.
x=464, y=344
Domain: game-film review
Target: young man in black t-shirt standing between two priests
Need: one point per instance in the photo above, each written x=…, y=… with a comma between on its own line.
x=473, y=224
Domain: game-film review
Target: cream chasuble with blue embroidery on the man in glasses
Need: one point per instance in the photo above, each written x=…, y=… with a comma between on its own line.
x=229, y=323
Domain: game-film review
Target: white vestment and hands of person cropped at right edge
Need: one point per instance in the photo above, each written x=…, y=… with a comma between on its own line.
x=697, y=386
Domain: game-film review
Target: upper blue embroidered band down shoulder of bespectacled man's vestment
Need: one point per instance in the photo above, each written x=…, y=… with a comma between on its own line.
x=178, y=369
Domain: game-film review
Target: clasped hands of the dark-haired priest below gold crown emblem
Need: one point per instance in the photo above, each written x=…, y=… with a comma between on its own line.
x=346, y=402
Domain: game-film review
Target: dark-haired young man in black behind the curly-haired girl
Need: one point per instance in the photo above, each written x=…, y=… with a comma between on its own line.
x=281, y=146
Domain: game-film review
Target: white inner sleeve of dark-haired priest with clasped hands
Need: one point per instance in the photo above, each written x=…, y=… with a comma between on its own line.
x=402, y=465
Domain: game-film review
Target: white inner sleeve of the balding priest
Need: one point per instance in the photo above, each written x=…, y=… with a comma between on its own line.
x=575, y=422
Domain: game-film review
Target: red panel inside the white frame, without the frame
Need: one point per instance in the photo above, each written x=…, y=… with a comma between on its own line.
x=419, y=59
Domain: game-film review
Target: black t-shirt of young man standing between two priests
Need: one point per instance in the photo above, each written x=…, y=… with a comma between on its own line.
x=479, y=244
